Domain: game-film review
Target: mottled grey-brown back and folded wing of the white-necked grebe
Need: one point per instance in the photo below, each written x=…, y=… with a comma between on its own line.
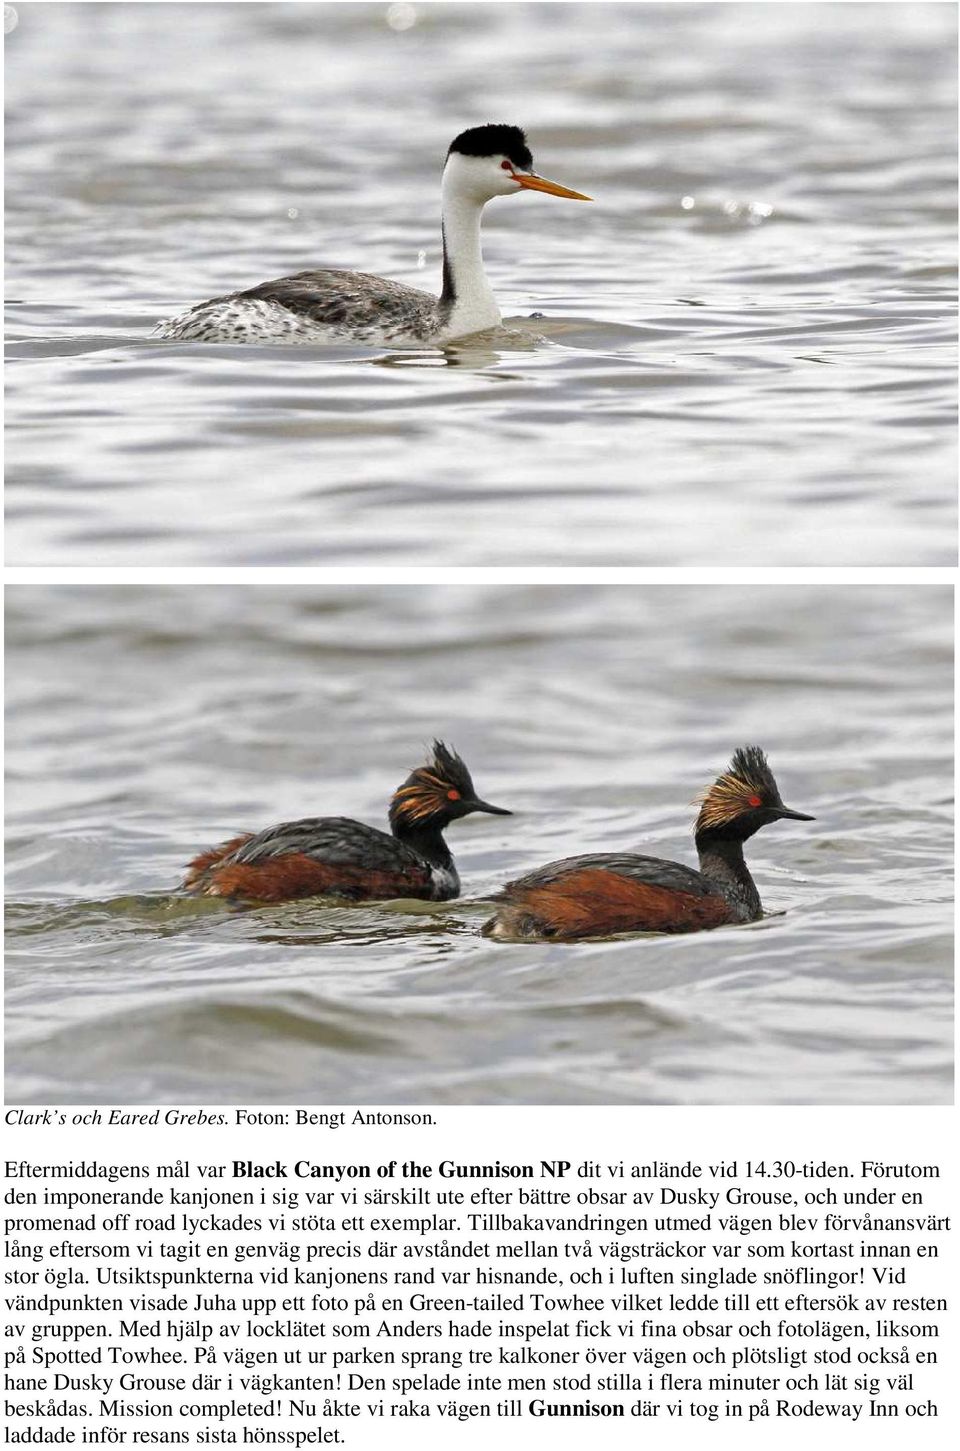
x=337, y=298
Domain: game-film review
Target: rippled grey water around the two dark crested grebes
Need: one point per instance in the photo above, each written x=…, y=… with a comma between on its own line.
x=144, y=725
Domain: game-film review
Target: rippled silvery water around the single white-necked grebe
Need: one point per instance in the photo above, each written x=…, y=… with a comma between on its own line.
x=748, y=348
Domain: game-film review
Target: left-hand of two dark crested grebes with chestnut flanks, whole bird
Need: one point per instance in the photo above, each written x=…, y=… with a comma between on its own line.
x=334, y=857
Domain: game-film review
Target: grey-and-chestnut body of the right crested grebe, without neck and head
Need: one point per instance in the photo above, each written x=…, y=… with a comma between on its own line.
x=604, y=895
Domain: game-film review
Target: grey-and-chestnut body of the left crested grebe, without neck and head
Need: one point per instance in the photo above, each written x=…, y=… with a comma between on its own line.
x=318, y=857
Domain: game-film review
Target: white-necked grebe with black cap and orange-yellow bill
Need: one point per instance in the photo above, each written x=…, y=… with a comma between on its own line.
x=330, y=304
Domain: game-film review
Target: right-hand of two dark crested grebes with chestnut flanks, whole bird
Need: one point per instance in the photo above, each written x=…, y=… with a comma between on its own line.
x=598, y=896
